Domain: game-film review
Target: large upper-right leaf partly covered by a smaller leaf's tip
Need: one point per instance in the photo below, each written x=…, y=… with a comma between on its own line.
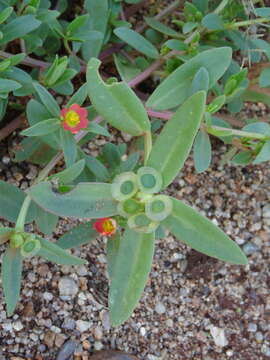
x=175, y=89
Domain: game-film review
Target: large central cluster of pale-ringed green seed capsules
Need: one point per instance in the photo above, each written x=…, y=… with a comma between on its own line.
x=137, y=201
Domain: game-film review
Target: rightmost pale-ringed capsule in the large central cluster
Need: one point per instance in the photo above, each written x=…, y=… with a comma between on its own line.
x=158, y=208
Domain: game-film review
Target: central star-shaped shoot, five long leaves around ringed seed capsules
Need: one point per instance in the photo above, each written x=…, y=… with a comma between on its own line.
x=135, y=199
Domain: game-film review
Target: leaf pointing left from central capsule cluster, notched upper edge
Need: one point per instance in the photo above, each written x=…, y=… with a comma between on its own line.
x=86, y=200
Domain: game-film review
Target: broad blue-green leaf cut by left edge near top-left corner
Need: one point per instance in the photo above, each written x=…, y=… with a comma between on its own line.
x=19, y=27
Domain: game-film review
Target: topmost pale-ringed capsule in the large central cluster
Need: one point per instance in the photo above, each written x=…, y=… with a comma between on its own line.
x=149, y=180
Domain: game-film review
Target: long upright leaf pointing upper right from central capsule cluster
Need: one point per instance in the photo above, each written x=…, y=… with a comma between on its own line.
x=176, y=138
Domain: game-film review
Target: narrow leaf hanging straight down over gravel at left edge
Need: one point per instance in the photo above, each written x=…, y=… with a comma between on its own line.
x=11, y=278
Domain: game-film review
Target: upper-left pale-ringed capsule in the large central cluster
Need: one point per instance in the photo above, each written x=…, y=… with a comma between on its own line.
x=124, y=186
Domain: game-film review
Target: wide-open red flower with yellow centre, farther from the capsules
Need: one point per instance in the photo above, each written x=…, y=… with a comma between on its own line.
x=74, y=118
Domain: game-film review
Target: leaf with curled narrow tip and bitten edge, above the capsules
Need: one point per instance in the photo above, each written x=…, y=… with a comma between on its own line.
x=117, y=103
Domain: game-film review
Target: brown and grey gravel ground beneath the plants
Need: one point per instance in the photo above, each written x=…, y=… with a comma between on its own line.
x=193, y=307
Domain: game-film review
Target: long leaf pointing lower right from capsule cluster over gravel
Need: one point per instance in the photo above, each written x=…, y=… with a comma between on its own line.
x=201, y=234
